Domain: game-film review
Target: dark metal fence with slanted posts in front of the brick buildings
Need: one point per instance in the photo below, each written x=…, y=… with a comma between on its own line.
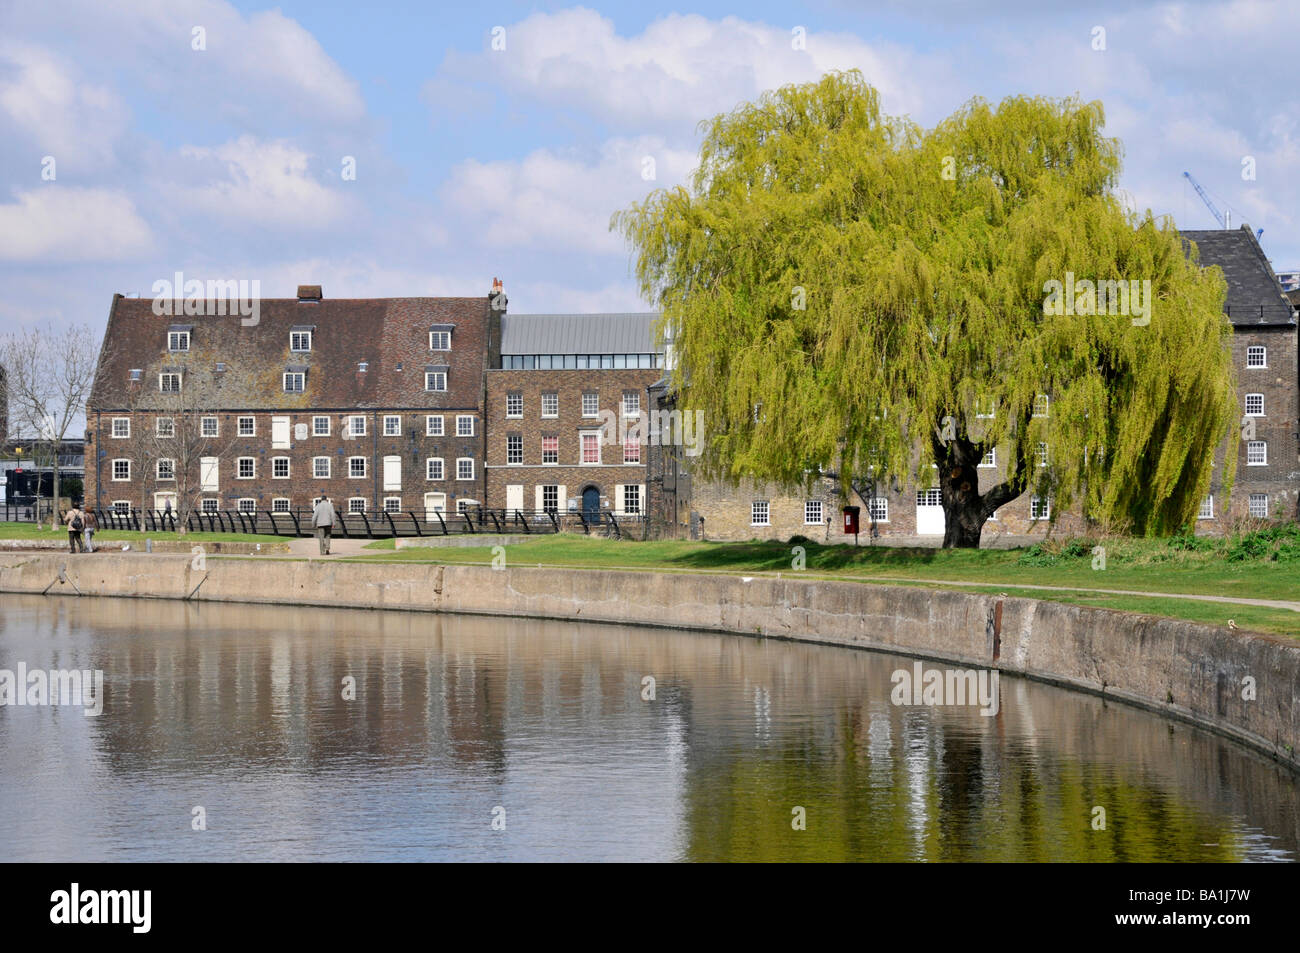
x=382, y=525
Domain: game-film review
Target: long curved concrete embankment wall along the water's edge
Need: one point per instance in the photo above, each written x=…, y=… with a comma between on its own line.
x=1185, y=670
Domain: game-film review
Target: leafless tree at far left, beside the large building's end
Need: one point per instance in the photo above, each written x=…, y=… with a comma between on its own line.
x=50, y=375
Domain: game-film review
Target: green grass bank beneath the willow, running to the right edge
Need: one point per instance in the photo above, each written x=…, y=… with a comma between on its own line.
x=1143, y=566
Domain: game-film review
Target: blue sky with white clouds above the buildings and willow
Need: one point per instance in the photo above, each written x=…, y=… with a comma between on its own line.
x=423, y=149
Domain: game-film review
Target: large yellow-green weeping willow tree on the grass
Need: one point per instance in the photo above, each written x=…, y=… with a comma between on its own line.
x=850, y=293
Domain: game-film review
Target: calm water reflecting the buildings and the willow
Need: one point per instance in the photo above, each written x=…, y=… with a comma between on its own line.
x=240, y=711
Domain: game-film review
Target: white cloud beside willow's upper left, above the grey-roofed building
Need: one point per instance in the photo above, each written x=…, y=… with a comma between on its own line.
x=558, y=202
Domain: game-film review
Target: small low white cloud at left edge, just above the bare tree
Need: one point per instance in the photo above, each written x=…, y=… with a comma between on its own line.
x=62, y=224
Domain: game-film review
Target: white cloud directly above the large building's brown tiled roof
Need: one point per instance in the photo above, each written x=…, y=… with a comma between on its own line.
x=255, y=183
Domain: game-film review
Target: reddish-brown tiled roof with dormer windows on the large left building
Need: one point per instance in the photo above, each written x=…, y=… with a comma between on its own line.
x=380, y=333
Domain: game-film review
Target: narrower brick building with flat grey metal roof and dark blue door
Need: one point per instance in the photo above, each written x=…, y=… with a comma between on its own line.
x=566, y=414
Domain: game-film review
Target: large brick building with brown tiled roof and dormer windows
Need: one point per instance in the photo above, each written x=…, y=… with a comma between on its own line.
x=357, y=398
